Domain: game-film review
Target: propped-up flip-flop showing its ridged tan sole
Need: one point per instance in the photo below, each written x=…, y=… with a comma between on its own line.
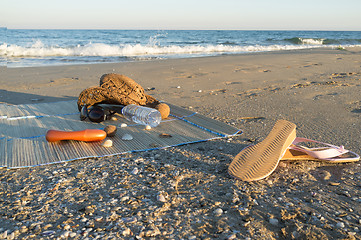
x=259, y=161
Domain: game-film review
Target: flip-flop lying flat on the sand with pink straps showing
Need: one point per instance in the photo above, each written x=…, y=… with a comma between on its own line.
x=328, y=152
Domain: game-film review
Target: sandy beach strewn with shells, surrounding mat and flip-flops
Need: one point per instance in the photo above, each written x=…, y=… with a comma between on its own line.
x=186, y=192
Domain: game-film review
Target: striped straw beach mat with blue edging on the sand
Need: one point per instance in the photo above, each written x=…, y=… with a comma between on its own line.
x=23, y=129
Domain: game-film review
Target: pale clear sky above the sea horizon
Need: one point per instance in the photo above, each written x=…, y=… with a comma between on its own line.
x=184, y=14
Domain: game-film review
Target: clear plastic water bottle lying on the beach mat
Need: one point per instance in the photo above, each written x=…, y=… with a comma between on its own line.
x=142, y=115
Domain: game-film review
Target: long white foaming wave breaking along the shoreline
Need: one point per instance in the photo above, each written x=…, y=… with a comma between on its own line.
x=38, y=49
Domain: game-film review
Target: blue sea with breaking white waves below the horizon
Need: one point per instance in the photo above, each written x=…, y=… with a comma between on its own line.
x=47, y=47
